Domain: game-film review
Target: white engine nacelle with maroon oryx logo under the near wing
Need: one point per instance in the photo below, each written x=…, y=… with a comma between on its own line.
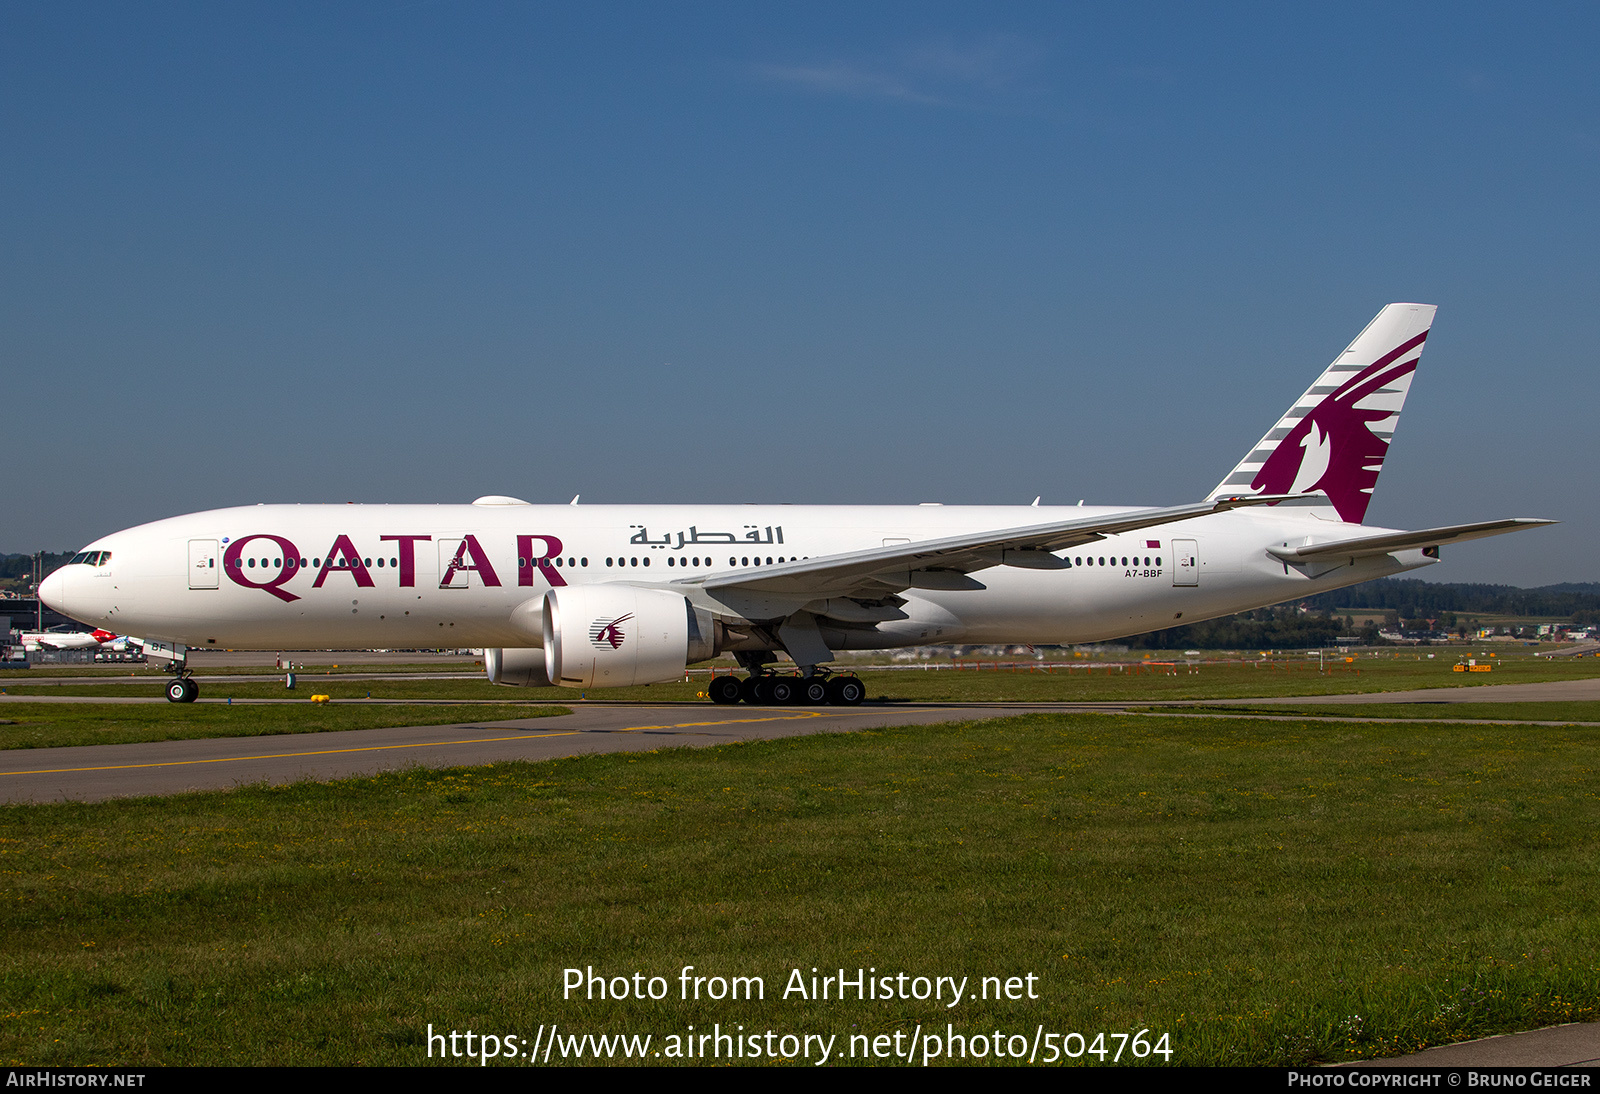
x=620, y=636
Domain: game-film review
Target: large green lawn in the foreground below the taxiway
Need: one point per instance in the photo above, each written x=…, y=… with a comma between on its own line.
x=1265, y=893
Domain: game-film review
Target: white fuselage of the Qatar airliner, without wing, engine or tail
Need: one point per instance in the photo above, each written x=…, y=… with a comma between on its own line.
x=428, y=577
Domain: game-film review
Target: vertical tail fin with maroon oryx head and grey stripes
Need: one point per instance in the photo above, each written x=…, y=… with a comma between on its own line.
x=1335, y=437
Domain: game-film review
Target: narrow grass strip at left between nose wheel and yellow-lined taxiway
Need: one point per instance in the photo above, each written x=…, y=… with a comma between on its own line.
x=50, y=725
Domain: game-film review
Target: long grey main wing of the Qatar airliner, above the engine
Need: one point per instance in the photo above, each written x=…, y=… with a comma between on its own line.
x=946, y=564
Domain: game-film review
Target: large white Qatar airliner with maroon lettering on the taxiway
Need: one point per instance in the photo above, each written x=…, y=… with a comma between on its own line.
x=618, y=596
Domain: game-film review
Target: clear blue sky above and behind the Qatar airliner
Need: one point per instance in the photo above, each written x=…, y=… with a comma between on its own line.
x=823, y=254
